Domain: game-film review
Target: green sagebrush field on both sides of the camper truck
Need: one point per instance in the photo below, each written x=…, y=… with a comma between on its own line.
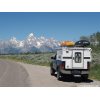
x=44, y=60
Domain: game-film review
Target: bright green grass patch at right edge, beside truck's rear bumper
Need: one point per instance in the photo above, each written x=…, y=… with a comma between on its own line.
x=95, y=72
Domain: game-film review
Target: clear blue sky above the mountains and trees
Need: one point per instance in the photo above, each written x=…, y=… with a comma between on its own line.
x=61, y=26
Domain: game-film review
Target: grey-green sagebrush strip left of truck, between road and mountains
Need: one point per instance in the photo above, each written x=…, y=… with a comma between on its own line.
x=37, y=59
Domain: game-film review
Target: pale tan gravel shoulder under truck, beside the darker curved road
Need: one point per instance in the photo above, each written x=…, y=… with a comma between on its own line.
x=40, y=77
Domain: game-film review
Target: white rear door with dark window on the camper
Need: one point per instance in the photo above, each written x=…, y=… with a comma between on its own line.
x=77, y=61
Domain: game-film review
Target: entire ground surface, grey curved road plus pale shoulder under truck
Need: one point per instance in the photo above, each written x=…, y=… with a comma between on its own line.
x=20, y=74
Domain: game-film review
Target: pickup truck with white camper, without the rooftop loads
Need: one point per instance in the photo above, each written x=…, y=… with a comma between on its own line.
x=71, y=60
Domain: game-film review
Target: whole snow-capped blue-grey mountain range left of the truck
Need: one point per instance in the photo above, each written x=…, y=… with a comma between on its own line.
x=31, y=44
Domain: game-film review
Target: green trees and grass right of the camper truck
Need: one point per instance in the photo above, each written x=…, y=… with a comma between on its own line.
x=95, y=45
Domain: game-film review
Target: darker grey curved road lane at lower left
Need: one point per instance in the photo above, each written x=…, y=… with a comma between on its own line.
x=13, y=74
